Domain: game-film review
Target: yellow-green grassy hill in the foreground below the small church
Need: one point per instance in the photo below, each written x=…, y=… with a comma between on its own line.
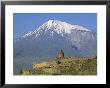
x=66, y=66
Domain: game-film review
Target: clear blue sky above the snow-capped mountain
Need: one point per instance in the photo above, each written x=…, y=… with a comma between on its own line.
x=24, y=22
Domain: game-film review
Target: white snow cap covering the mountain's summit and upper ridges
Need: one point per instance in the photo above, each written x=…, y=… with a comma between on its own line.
x=59, y=27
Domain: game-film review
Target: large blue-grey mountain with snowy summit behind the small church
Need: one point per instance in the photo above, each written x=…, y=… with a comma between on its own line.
x=53, y=35
